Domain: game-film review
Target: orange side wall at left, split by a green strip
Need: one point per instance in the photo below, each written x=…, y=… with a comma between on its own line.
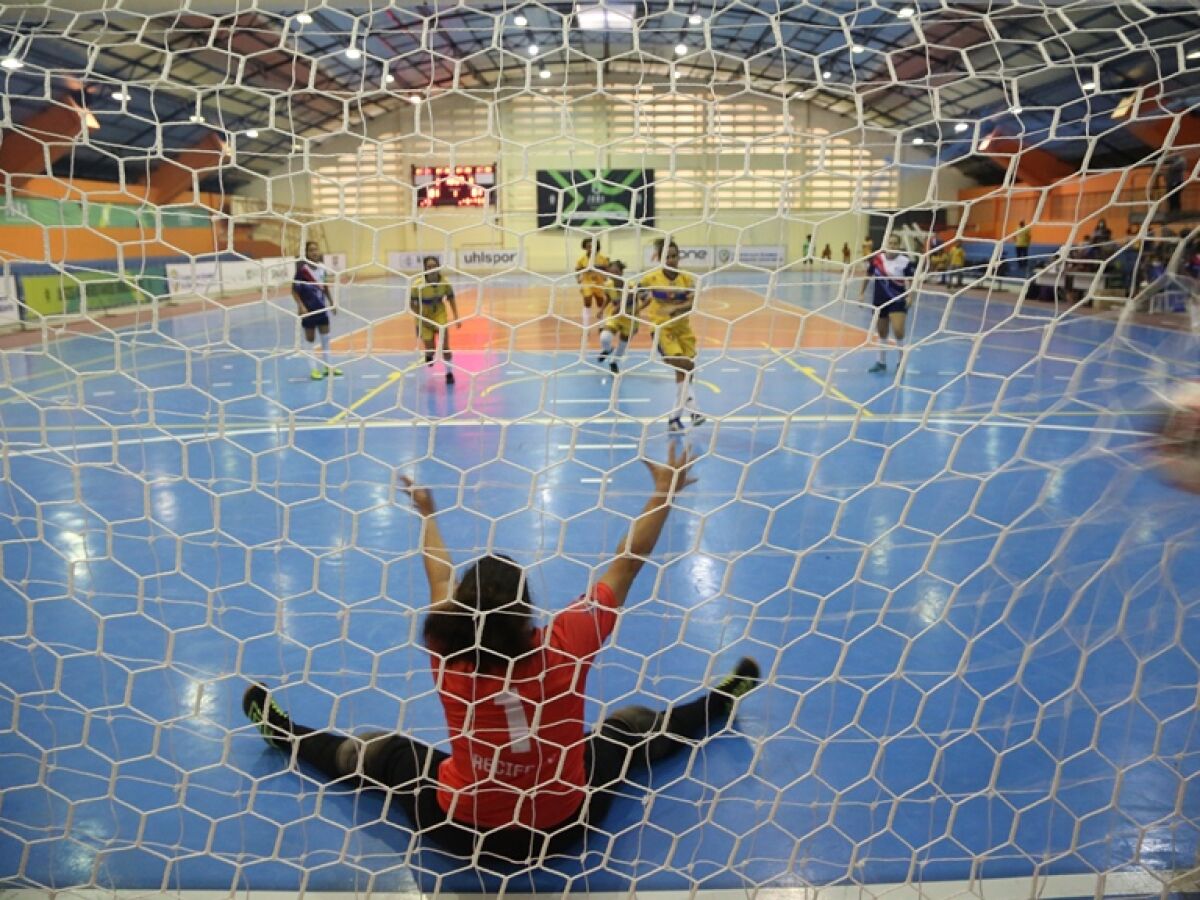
x=37, y=244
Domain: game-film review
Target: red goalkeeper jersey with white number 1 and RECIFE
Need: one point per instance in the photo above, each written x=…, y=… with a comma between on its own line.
x=517, y=746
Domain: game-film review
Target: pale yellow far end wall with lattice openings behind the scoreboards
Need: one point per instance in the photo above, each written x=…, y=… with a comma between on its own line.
x=761, y=172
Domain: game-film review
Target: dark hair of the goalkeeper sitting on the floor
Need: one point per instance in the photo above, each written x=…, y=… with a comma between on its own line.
x=488, y=621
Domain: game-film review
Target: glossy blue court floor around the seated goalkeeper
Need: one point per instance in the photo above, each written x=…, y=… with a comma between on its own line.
x=977, y=608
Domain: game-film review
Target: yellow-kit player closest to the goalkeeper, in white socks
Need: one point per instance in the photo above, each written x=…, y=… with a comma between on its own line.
x=668, y=296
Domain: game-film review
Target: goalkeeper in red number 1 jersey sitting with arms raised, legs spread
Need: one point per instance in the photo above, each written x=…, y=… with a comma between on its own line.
x=523, y=778
